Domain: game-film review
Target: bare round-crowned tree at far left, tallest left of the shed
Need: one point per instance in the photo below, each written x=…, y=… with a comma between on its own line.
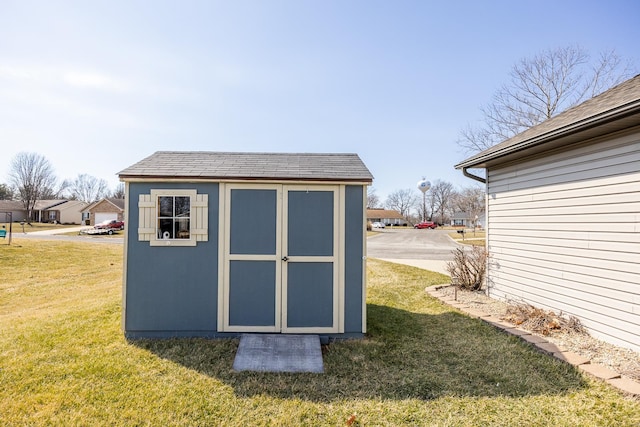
x=33, y=178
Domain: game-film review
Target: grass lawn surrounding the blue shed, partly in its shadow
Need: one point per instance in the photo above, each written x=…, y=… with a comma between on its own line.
x=64, y=361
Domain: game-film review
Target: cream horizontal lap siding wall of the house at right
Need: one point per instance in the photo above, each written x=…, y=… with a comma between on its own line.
x=564, y=234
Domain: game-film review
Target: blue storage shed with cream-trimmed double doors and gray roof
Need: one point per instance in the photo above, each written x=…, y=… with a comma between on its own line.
x=220, y=243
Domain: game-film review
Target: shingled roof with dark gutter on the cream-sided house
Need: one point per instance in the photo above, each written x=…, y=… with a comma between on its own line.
x=618, y=102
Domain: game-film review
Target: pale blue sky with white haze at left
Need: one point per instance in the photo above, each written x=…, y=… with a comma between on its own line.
x=95, y=86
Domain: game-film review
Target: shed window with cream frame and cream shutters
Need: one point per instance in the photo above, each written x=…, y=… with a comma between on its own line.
x=173, y=217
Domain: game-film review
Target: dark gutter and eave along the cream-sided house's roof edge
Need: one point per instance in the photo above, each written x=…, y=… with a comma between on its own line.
x=492, y=155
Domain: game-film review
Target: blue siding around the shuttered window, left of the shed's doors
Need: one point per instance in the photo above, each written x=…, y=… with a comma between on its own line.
x=171, y=290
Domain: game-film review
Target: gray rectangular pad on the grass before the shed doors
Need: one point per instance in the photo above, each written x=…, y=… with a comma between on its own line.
x=279, y=353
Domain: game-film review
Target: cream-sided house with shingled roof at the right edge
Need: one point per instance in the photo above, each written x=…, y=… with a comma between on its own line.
x=563, y=214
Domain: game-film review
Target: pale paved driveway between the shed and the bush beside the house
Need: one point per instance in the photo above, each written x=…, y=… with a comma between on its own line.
x=428, y=249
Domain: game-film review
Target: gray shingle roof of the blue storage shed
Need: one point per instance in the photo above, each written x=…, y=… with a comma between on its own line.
x=257, y=166
